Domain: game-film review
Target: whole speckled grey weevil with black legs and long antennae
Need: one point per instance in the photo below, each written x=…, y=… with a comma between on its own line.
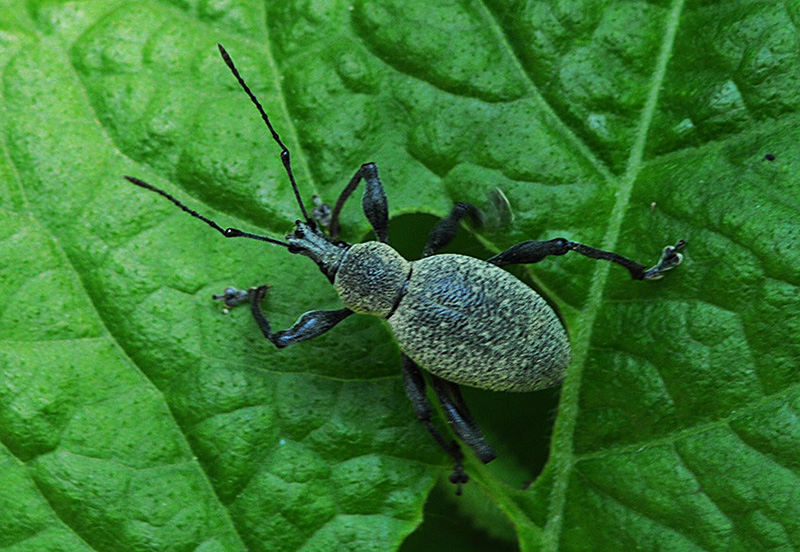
x=465, y=321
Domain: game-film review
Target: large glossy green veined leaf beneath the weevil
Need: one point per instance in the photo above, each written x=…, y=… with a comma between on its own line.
x=136, y=415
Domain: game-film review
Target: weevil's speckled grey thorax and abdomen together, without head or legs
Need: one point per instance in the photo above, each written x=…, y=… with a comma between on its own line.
x=460, y=318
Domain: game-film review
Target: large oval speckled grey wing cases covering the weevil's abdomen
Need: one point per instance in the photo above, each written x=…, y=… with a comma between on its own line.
x=473, y=323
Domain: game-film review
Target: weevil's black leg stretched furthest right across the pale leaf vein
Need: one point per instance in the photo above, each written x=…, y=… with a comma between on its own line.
x=534, y=251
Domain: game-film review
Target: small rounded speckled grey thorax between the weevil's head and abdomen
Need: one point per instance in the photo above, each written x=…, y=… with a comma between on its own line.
x=370, y=278
